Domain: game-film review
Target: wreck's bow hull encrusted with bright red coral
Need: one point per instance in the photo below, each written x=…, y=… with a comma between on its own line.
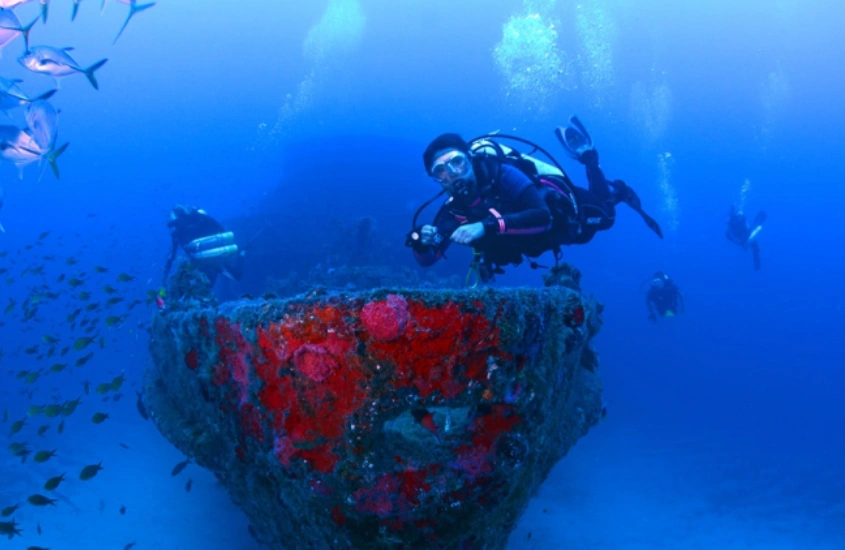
x=392, y=419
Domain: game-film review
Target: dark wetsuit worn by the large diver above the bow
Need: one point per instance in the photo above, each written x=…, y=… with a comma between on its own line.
x=526, y=217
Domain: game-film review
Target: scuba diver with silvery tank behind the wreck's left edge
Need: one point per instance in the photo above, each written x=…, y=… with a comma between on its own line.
x=206, y=242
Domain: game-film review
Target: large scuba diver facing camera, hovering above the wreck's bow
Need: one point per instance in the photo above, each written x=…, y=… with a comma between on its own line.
x=506, y=205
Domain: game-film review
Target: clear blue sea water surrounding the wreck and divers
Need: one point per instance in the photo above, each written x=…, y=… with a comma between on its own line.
x=725, y=423
